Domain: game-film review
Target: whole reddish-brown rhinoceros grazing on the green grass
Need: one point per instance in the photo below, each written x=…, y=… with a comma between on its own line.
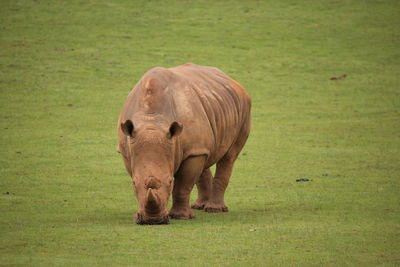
x=175, y=124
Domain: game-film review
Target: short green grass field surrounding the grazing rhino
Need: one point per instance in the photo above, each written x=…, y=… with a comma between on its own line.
x=67, y=67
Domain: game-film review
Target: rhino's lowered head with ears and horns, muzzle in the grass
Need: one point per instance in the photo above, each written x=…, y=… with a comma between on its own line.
x=149, y=159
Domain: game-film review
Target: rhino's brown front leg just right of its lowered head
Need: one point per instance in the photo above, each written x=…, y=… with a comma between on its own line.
x=186, y=177
